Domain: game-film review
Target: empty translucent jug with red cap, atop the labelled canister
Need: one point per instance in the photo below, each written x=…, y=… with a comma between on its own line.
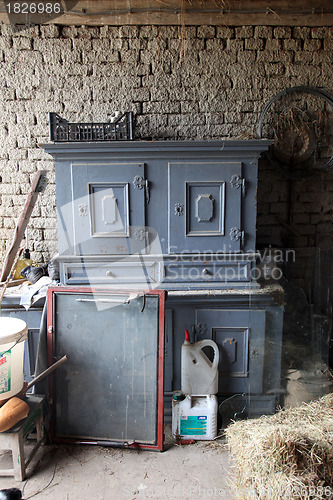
x=199, y=375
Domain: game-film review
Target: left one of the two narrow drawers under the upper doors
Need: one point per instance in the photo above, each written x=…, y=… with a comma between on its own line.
x=115, y=272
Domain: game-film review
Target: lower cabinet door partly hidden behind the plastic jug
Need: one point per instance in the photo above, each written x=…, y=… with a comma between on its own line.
x=240, y=336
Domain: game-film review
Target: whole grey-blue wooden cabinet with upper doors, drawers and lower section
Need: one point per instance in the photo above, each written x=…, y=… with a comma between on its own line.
x=177, y=216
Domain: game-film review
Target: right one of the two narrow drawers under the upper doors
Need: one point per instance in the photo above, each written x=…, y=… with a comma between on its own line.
x=217, y=271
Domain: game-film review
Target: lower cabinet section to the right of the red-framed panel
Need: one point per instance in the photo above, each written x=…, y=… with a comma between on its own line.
x=247, y=328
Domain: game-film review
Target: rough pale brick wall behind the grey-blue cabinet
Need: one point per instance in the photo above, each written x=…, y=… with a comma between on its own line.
x=184, y=83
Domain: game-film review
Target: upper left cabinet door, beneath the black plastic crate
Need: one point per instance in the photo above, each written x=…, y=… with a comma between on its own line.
x=109, y=208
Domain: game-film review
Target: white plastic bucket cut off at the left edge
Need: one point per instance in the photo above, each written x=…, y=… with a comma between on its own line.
x=13, y=333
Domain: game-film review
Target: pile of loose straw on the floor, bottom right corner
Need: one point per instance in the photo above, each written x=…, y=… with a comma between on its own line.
x=285, y=456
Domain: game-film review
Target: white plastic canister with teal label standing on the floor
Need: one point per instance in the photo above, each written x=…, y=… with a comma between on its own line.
x=194, y=417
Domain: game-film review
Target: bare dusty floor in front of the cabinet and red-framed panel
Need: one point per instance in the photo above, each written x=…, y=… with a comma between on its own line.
x=198, y=471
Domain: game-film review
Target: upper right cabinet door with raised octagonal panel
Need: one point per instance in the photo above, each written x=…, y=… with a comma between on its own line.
x=205, y=207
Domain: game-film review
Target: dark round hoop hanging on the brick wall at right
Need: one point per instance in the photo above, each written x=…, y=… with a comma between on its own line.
x=299, y=120
